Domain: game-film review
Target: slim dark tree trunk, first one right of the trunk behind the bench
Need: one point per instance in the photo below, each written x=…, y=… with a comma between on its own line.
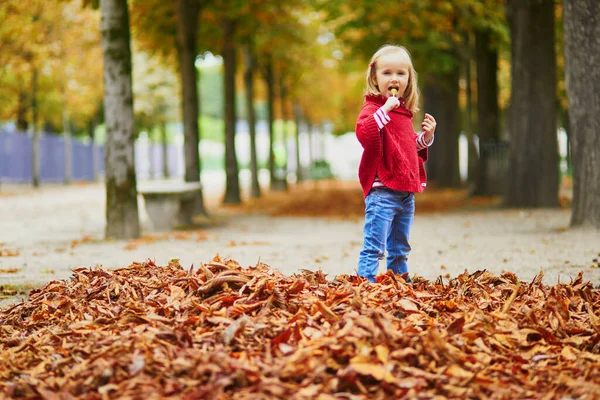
x=232, y=184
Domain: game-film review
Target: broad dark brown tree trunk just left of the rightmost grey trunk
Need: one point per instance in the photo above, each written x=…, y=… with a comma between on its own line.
x=533, y=172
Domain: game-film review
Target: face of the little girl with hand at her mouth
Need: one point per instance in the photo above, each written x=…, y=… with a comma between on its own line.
x=392, y=72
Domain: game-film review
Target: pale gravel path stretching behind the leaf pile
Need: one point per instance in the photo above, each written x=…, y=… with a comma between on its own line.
x=45, y=233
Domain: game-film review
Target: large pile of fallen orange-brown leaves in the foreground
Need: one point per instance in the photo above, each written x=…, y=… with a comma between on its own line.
x=226, y=332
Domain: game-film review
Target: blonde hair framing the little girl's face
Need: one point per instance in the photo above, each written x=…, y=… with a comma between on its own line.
x=411, y=94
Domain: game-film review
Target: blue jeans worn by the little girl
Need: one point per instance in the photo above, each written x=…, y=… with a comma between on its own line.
x=389, y=216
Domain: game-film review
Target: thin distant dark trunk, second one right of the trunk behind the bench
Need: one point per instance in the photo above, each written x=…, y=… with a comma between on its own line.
x=249, y=82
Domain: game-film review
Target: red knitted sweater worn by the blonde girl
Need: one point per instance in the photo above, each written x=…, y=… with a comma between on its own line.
x=390, y=153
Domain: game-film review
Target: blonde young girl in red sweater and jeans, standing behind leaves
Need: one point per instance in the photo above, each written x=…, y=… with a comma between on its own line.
x=391, y=168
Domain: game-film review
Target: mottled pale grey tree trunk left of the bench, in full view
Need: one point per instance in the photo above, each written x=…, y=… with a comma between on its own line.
x=122, y=219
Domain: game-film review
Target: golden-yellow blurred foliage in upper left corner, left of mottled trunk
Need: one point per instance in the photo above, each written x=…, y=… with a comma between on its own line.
x=58, y=47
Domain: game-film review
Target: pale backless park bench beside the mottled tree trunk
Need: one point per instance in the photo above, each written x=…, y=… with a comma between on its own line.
x=164, y=200
